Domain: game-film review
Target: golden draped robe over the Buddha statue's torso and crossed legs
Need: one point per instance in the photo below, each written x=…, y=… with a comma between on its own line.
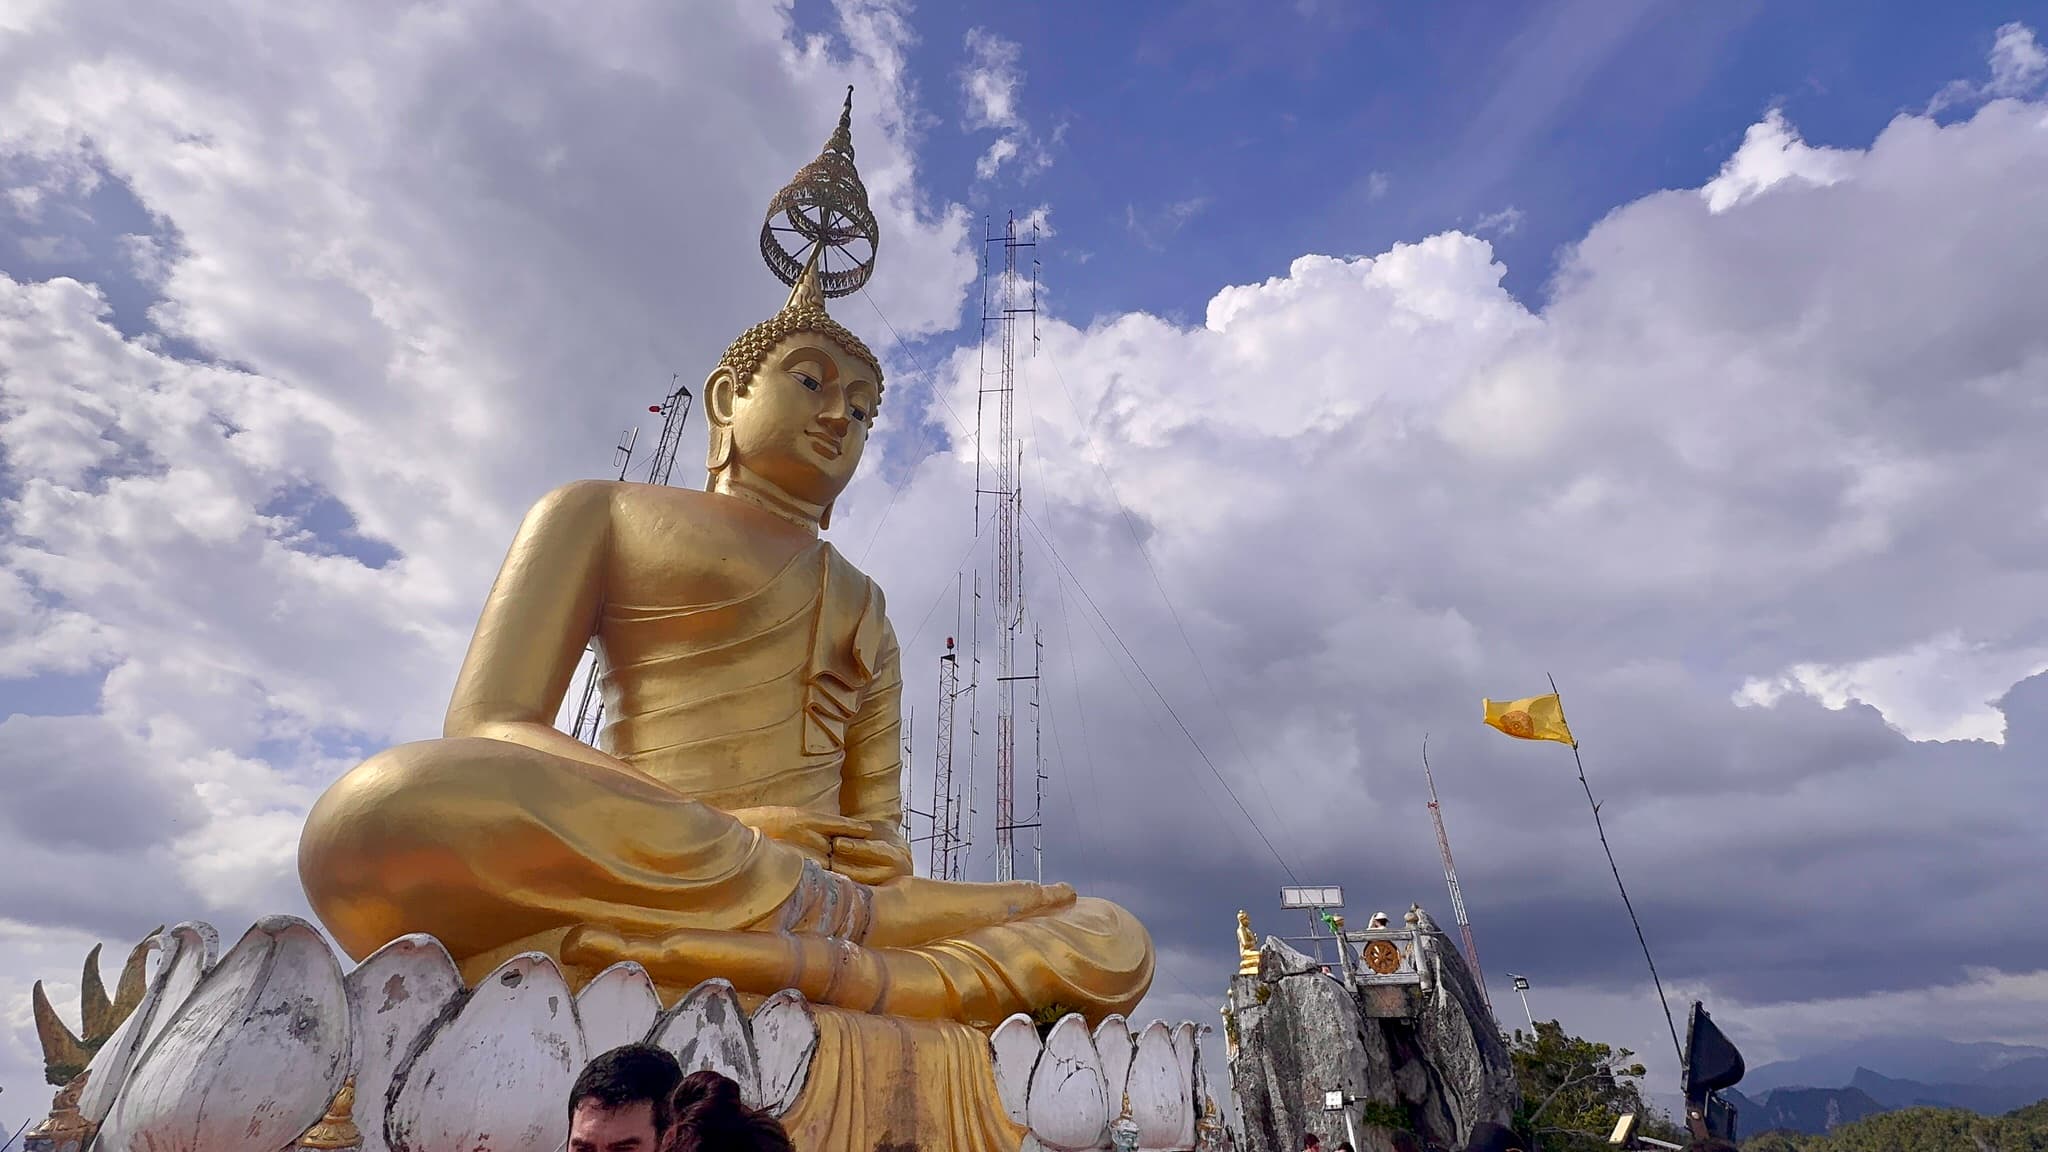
x=499, y=848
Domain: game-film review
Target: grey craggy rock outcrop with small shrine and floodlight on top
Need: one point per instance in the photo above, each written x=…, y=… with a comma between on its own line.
x=1412, y=1048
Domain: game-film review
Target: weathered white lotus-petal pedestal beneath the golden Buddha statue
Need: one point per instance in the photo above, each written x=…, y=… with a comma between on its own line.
x=273, y=1048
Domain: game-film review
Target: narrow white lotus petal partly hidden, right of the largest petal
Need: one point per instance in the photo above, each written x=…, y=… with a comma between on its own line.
x=394, y=997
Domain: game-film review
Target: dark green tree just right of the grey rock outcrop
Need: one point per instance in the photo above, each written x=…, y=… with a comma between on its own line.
x=1576, y=1089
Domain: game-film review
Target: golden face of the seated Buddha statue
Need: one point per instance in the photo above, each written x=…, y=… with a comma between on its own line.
x=804, y=417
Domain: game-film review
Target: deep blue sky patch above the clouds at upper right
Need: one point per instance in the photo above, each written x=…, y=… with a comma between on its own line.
x=1258, y=128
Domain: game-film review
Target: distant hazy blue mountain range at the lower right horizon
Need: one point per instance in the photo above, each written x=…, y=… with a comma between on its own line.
x=1820, y=1094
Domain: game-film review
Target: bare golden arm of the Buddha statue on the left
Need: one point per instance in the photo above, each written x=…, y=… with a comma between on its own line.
x=536, y=624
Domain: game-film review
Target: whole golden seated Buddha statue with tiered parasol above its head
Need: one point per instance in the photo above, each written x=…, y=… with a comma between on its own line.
x=742, y=813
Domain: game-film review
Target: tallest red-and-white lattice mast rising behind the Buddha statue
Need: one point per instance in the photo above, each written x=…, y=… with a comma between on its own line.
x=1000, y=315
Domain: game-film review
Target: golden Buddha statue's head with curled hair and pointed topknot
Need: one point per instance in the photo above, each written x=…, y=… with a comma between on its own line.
x=792, y=407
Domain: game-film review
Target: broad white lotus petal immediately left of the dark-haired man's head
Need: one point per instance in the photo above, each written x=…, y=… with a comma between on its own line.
x=495, y=1073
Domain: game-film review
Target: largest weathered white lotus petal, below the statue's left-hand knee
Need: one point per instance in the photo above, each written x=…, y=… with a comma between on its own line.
x=253, y=1057
